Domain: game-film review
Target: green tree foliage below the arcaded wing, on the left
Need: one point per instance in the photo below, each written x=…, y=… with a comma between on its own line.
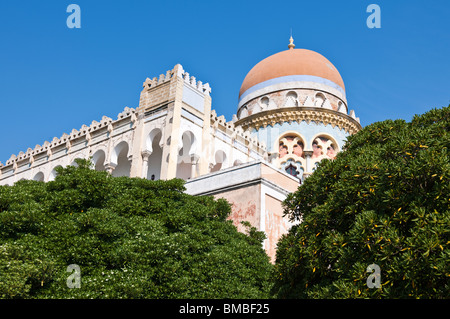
x=131, y=238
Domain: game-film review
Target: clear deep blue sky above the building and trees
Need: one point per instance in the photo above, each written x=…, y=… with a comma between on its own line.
x=54, y=79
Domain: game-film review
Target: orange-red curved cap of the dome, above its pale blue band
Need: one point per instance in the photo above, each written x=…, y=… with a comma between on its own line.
x=292, y=62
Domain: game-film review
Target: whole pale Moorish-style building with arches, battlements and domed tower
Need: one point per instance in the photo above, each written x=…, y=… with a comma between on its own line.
x=292, y=113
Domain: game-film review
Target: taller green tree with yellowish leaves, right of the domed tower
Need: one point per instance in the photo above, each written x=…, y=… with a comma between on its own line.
x=384, y=200
